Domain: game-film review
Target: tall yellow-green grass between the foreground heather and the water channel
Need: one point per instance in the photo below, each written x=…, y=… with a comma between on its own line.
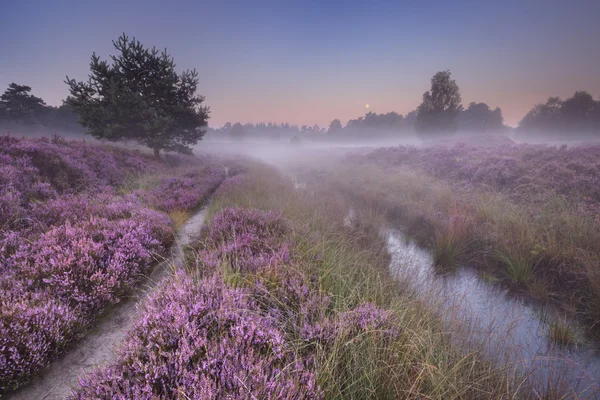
x=350, y=265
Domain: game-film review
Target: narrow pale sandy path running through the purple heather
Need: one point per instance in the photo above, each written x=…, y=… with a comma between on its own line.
x=98, y=347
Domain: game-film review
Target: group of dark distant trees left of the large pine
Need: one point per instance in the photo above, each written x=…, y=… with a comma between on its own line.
x=21, y=111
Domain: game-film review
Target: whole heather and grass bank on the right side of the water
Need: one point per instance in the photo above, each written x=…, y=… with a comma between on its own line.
x=525, y=215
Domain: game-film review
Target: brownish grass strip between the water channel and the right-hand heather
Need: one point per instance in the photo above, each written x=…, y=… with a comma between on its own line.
x=553, y=238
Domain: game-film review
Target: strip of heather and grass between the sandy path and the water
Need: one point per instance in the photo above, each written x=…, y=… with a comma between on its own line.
x=280, y=298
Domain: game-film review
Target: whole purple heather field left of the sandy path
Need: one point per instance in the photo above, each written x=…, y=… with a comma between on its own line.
x=79, y=226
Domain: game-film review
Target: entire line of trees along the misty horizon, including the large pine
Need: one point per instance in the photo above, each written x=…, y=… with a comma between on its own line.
x=140, y=97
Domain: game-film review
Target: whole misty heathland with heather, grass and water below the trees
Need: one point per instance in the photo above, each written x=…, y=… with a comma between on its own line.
x=373, y=273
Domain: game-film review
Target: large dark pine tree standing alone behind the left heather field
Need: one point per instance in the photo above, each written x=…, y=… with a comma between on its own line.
x=139, y=96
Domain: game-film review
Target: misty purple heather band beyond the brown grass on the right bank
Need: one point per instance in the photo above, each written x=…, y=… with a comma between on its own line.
x=526, y=173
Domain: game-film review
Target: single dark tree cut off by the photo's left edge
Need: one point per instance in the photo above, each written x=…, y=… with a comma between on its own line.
x=19, y=105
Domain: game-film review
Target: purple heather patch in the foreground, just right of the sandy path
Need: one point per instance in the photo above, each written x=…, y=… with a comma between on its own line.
x=207, y=339
